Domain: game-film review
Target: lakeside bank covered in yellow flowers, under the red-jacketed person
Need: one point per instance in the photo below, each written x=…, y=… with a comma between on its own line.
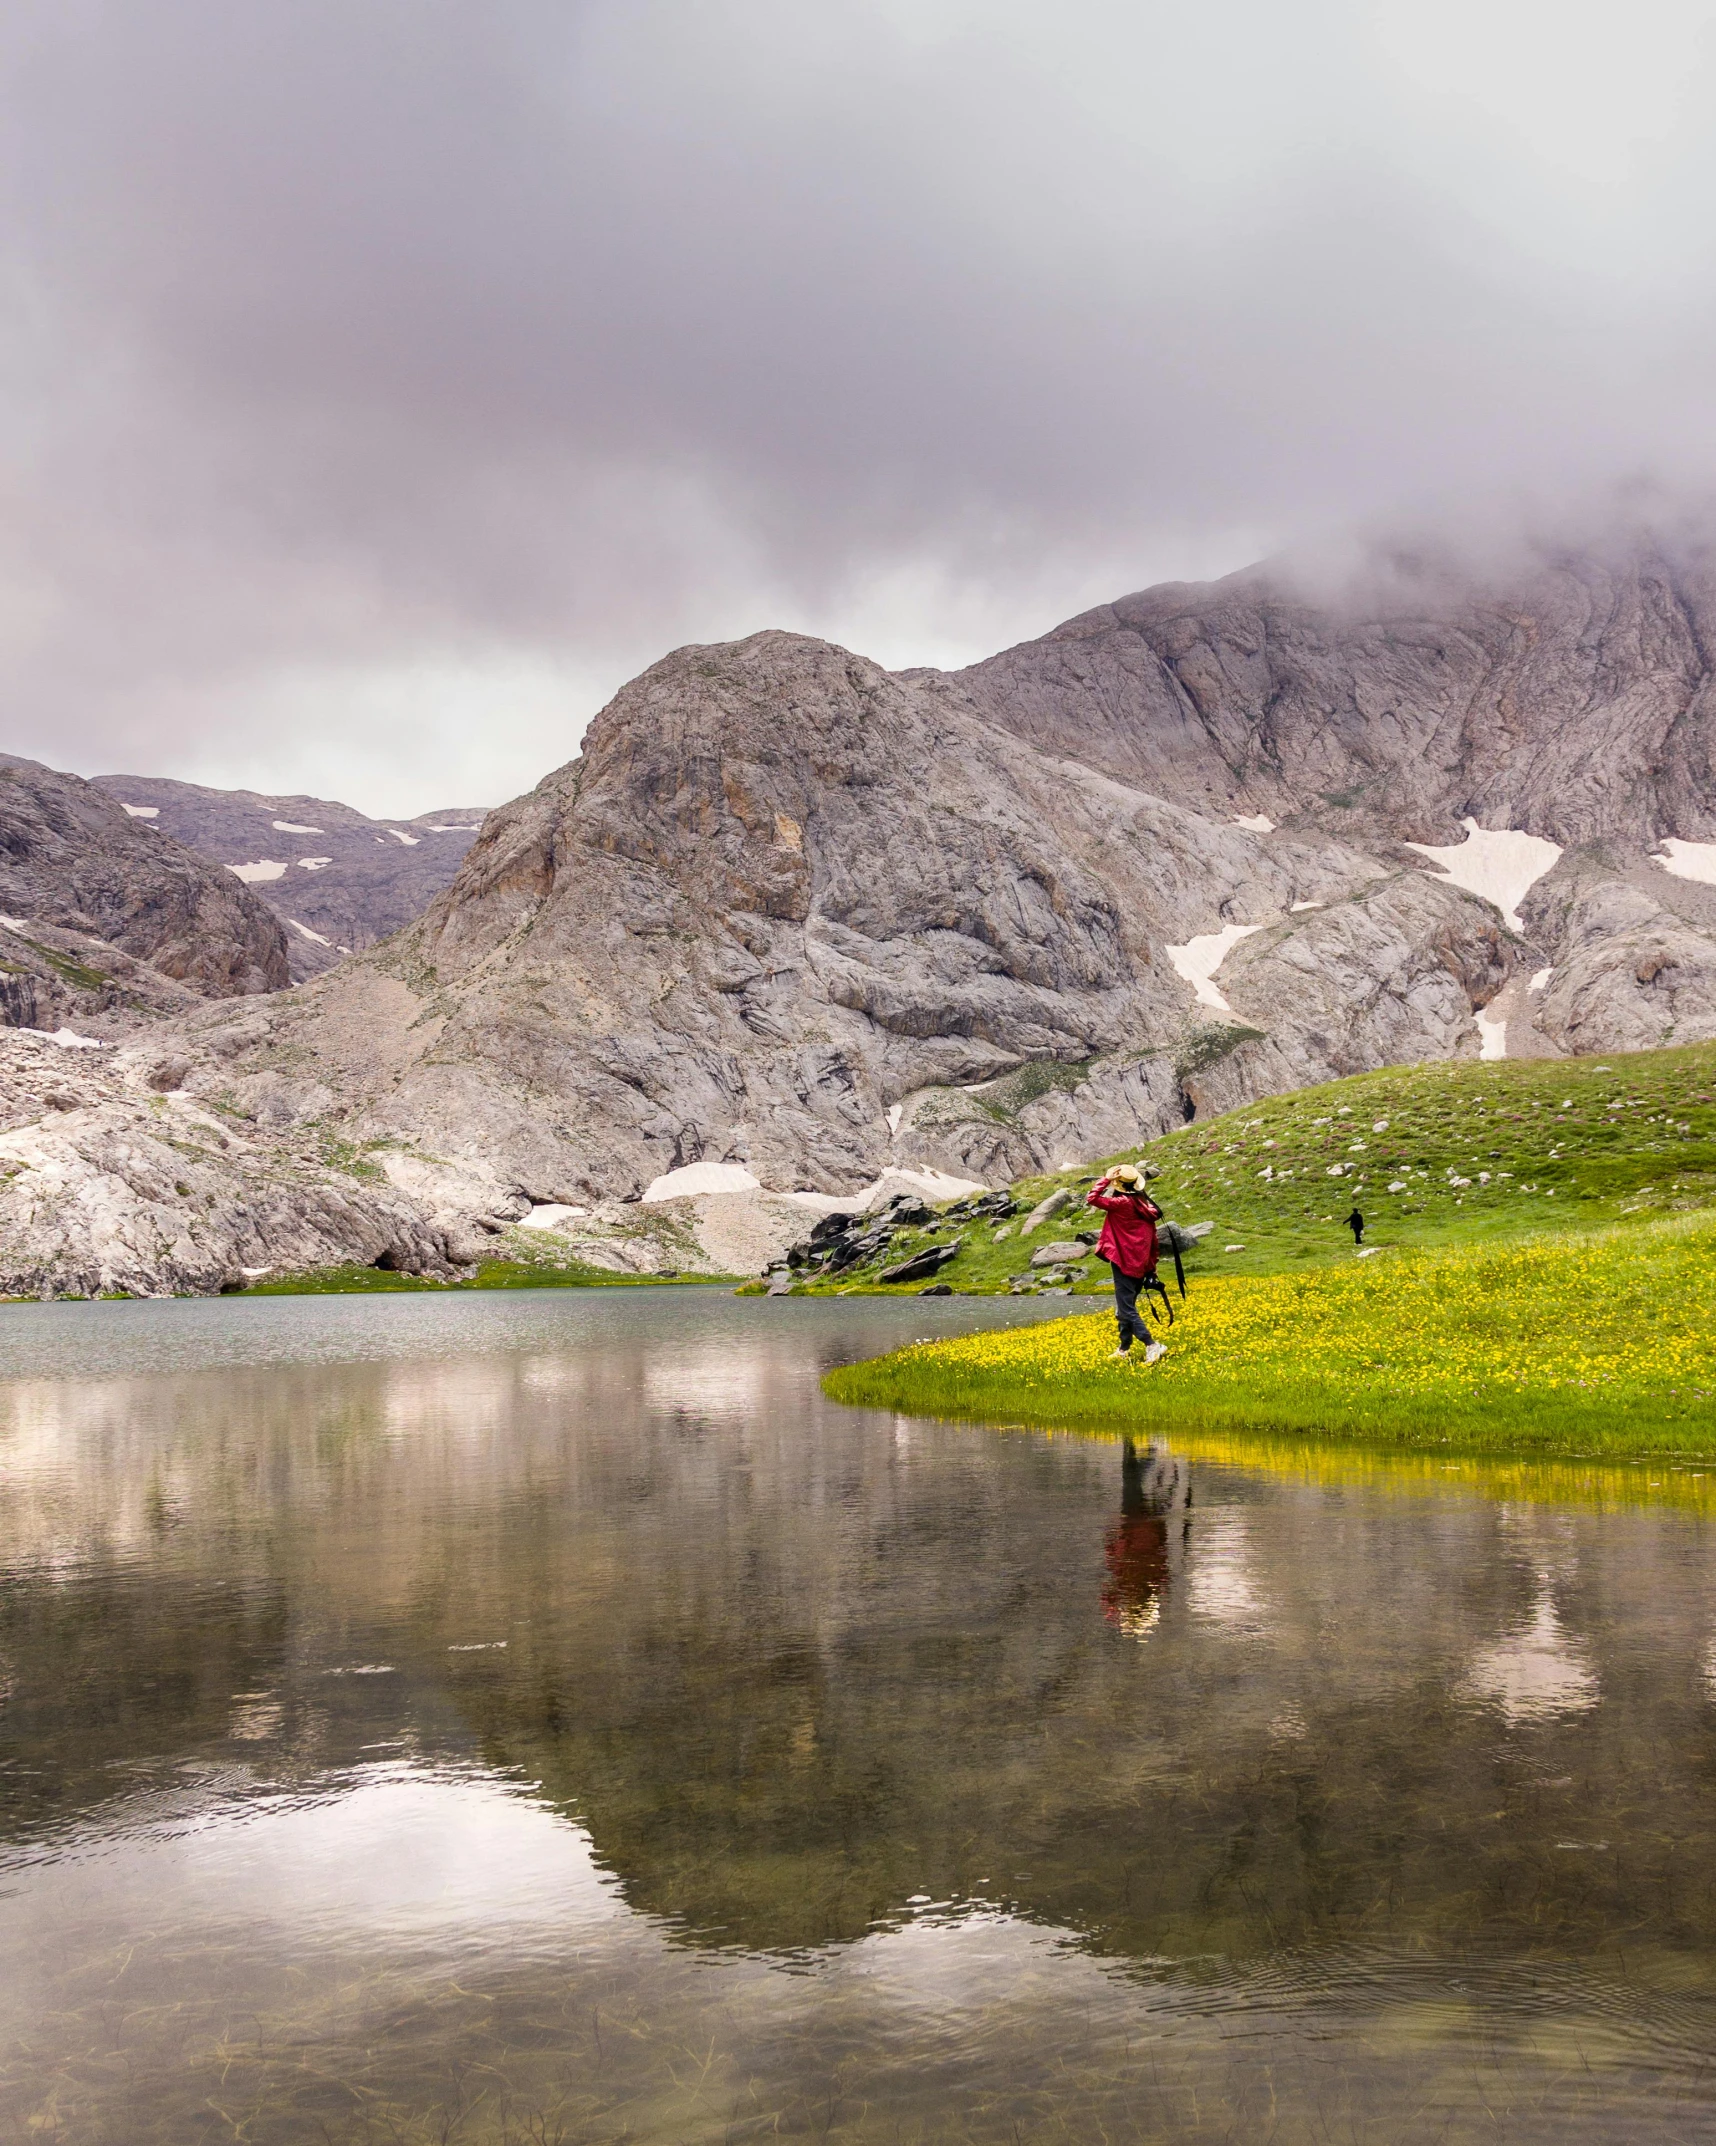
x=1576, y=1347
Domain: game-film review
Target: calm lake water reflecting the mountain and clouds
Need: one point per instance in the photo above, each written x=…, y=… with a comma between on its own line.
x=548, y=1720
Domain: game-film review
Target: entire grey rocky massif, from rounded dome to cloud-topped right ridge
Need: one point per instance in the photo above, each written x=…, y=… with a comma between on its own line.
x=805, y=922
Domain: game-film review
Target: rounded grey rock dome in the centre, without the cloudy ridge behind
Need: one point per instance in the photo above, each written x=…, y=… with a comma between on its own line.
x=799, y=915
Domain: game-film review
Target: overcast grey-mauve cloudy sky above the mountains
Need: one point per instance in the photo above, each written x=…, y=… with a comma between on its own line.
x=385, y=381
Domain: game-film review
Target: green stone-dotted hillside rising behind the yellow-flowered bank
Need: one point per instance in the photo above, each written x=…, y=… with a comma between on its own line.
x=1438, y=1156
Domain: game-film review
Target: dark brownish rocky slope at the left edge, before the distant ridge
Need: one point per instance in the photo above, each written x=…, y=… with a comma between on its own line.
x=100, y=917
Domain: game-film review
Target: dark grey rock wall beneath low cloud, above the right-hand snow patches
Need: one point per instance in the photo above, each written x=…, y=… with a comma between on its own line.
x=1576, y=703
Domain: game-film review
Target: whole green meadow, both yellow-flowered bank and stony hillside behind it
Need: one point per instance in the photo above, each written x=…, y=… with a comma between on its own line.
x=1539, y=1276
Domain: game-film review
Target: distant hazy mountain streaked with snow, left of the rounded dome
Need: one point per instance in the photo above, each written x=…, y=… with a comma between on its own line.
x=338, y=879
